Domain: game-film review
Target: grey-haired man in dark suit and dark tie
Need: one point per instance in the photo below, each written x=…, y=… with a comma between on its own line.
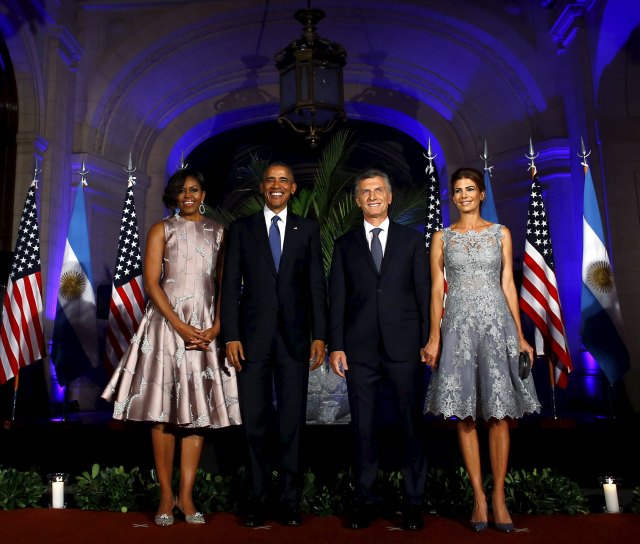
x=379, y=291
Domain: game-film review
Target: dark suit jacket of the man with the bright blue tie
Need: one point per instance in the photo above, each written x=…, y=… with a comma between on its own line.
x=256, y=301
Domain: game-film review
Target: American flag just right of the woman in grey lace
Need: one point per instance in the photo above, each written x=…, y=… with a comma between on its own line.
x=539, y=297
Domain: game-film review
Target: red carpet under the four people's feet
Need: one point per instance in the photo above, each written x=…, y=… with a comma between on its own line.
x=80, y=527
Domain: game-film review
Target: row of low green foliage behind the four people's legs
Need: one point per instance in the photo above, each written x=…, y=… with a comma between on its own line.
x=447, y=492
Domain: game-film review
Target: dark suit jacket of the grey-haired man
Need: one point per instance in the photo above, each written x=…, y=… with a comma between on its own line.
x=367, y=307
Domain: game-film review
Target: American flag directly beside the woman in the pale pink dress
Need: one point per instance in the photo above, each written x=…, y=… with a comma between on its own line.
x=127, y=295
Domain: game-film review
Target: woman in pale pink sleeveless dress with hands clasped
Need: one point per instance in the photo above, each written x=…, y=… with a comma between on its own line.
x=170, y=374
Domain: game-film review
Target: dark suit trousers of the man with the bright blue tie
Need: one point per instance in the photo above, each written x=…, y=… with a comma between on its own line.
x=273, y=402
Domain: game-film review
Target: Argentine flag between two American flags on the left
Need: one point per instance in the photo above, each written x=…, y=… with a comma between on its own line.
x=75, y=340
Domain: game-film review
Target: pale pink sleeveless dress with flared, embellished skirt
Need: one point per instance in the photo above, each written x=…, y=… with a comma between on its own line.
x=159, y=380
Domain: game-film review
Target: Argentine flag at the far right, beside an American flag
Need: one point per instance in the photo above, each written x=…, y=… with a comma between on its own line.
x=601, y=321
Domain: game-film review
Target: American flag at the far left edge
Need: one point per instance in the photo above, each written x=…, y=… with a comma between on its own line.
x=21, y=331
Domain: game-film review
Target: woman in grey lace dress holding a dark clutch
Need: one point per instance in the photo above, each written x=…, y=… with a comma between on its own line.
x=473, y=348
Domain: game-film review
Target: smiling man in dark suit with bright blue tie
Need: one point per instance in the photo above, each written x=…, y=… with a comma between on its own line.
x=273, y=316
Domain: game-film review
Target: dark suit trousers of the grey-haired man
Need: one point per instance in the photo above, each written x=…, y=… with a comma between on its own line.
x=406, y=381
